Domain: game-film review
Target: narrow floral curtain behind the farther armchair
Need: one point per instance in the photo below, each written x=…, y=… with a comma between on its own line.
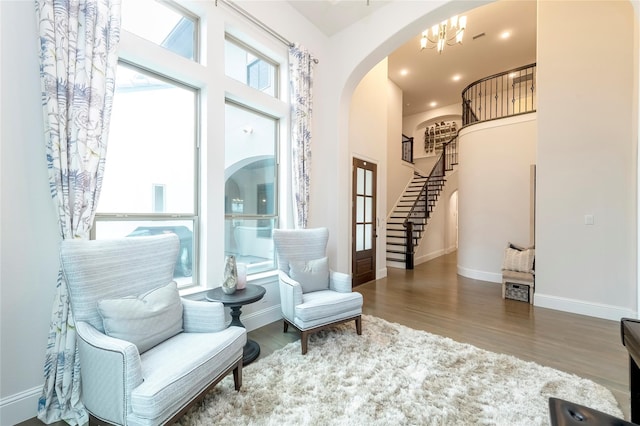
x=301, y=71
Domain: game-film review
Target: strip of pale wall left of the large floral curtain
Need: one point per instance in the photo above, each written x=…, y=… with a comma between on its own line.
x=29, y=232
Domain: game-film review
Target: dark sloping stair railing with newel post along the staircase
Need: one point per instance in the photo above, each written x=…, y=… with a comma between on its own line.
x=448, y=158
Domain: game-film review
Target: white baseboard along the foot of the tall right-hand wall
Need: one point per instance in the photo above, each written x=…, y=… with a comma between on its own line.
x=581, y=307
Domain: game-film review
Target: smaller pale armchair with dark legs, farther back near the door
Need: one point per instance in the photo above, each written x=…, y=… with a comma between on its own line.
x=312, y=297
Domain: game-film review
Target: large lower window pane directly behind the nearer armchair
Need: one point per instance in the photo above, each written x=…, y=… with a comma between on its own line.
x=151, y=175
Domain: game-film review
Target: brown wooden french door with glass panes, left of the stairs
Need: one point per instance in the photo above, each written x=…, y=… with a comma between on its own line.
x=363, y=230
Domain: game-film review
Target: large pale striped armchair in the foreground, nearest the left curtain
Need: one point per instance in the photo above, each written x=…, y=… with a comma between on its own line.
x=146, y=355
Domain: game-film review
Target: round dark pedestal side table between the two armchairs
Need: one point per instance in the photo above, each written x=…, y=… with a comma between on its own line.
x=252, y=293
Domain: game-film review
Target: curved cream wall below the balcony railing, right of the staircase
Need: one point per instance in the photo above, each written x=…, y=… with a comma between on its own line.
x=494, y=190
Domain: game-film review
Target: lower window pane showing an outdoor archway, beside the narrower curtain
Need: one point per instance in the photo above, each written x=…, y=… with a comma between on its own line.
x=250, y=186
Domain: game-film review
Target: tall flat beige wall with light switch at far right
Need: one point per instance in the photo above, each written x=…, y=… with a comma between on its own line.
x=587, y=151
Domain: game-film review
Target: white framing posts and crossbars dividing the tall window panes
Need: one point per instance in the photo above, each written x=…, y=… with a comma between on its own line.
x=209, y=77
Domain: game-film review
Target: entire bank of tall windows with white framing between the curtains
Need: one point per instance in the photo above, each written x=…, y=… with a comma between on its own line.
x=154, y=168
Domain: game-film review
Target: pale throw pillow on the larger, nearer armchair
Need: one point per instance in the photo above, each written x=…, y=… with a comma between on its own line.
x=145, y=320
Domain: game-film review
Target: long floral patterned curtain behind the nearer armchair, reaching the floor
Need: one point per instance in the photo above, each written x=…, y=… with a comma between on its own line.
x=78, y=58
